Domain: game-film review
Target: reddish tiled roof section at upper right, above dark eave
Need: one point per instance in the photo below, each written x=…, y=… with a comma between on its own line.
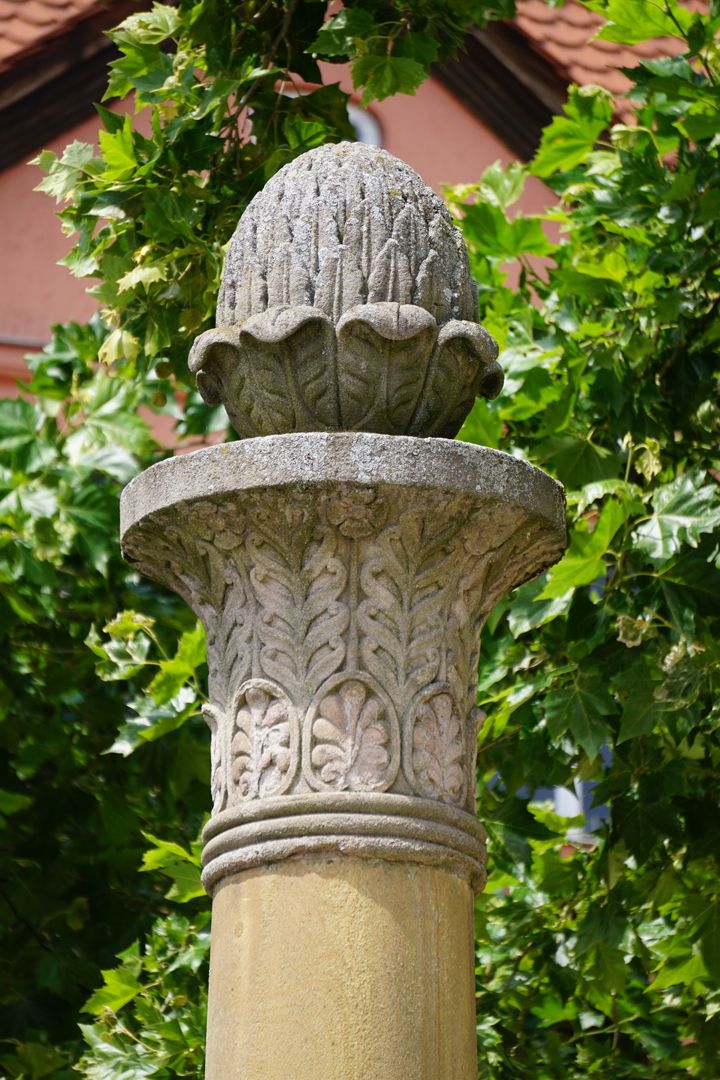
x=564, y=37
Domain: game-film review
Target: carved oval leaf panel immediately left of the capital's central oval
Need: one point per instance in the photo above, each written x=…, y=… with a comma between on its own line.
x=265, y=747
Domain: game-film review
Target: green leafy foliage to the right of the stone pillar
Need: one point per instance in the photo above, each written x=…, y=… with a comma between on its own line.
x=606, y=672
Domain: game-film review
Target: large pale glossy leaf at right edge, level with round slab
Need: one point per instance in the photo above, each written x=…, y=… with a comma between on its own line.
x=684, y=510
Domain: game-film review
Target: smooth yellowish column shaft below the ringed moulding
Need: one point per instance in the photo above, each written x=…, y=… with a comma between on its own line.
x=335, y=969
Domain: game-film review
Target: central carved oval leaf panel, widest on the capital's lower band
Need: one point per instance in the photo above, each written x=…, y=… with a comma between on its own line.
x=351, y=737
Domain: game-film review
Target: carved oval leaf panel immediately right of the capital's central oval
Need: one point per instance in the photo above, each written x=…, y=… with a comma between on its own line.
x=434, y=747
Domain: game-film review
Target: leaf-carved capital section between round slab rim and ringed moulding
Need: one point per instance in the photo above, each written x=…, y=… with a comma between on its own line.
x=331, y=616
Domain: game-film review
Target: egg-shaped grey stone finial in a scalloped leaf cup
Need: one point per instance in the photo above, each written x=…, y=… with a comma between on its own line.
x=347, y=305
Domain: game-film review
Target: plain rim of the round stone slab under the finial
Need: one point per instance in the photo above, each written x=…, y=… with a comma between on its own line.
x=357, y=458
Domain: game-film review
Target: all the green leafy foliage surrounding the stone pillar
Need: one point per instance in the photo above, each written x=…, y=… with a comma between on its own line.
x=599, y=943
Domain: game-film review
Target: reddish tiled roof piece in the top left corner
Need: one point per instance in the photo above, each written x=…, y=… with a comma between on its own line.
x=26, y=25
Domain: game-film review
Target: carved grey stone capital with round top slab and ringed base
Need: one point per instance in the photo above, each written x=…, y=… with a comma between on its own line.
x=344, y=580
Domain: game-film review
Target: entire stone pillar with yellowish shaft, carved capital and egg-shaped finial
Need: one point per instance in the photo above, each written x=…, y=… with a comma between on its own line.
x=343, y=564
